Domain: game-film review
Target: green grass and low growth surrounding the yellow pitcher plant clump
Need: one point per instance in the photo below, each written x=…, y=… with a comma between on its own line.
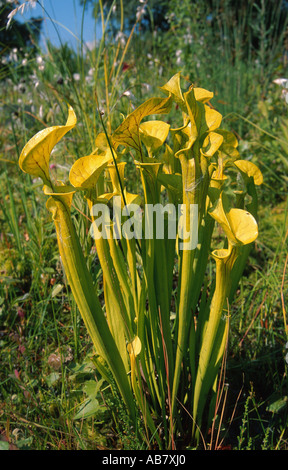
x=51, y=396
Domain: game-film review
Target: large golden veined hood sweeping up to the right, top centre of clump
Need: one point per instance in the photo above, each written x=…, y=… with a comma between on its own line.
x=127, y=133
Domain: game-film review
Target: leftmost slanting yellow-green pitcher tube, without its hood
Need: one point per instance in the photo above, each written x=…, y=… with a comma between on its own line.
x=83, y=290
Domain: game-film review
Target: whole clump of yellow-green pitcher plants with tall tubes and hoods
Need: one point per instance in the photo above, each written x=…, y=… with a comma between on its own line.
x=161, y=334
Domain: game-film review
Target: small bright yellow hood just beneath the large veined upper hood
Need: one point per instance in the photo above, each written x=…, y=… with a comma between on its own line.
x=153, y=134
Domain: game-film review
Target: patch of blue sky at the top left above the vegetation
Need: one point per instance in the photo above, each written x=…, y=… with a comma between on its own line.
x=66, y=16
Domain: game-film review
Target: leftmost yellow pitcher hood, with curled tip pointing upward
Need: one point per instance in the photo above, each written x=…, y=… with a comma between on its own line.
x=34, y=158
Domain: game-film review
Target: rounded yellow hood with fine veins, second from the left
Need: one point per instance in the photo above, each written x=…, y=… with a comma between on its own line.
x=86, y=170
